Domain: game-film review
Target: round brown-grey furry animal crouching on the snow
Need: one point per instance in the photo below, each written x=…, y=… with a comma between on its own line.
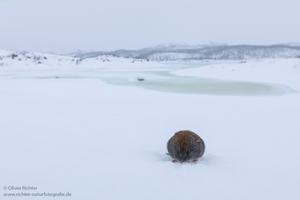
x=185, y=146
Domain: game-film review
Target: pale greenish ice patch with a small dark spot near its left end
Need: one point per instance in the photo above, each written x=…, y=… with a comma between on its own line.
x=180, y=84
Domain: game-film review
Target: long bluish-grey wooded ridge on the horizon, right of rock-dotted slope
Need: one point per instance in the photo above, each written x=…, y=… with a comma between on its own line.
x=201, y=52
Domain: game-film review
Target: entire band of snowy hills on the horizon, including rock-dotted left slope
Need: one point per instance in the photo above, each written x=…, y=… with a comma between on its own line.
x=158, y=53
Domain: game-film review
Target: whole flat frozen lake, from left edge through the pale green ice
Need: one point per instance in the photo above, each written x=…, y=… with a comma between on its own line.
x=153, y=78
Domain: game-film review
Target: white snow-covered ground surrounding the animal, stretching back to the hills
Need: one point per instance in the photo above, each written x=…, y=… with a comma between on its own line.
x=65, y=128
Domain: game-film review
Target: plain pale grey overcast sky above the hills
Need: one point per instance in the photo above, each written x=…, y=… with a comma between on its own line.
x=67, y=25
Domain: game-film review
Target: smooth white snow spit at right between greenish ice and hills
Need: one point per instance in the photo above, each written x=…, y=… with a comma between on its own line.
x=268, y=70
